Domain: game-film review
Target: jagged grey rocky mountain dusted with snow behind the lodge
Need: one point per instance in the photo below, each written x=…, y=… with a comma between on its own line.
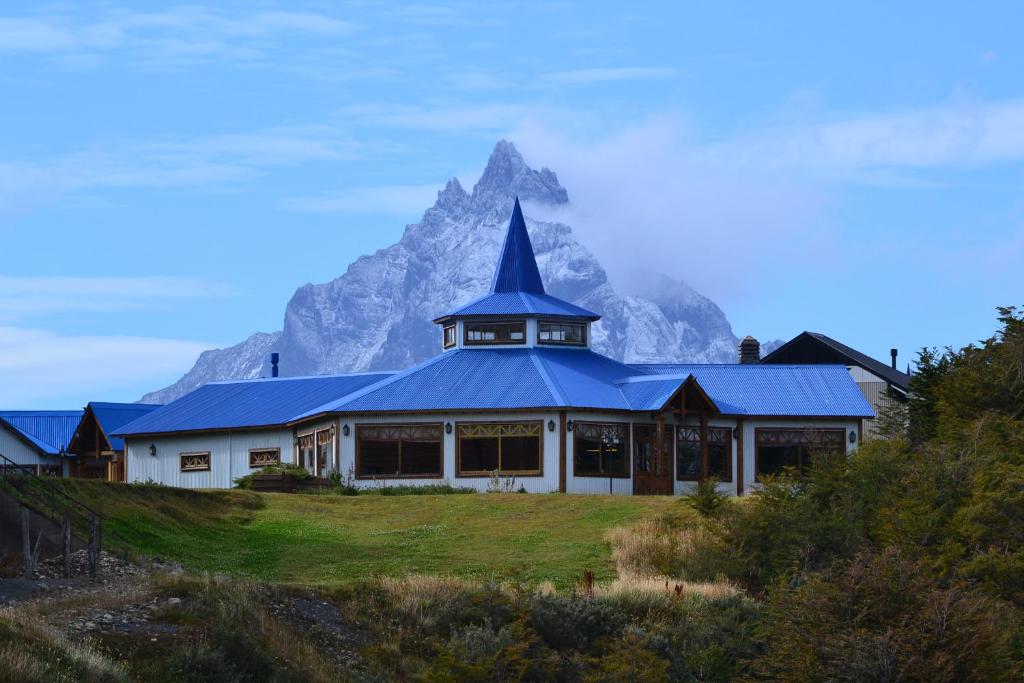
x=378, y=315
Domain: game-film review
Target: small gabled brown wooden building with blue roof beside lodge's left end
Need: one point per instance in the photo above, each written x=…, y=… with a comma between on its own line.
x=98, y=454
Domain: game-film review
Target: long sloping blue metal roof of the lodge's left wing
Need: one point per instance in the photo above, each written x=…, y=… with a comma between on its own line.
x=242, y=404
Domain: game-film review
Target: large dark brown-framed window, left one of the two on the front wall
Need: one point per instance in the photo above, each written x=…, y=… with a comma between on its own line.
x=399, y=451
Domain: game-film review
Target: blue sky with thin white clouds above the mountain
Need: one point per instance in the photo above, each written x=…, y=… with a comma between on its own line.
x=168, y=177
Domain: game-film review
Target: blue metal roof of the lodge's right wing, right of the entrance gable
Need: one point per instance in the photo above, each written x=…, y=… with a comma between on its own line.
x=775, y=390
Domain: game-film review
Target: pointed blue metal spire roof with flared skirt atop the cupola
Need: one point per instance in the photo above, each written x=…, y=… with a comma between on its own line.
x=518, y=288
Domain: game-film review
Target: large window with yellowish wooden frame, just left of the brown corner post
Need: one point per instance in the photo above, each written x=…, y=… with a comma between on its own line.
x=508, y=449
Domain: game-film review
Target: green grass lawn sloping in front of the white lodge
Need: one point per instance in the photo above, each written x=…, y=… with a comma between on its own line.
x=330, y=540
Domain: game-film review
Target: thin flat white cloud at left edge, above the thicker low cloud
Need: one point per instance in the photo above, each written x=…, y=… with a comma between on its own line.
x=34, y=296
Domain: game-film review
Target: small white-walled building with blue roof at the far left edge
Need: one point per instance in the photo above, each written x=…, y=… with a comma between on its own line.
x=37, y=441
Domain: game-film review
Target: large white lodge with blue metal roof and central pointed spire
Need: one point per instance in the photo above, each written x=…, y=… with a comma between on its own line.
x=517, y=398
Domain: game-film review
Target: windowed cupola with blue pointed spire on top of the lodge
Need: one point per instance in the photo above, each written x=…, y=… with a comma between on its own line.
x=517, y=312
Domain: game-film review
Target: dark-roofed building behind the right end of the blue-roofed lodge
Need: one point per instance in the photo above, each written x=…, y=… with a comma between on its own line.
x=880, y=383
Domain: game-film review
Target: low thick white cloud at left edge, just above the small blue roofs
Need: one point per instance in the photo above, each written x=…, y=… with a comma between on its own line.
x=39, y=366
